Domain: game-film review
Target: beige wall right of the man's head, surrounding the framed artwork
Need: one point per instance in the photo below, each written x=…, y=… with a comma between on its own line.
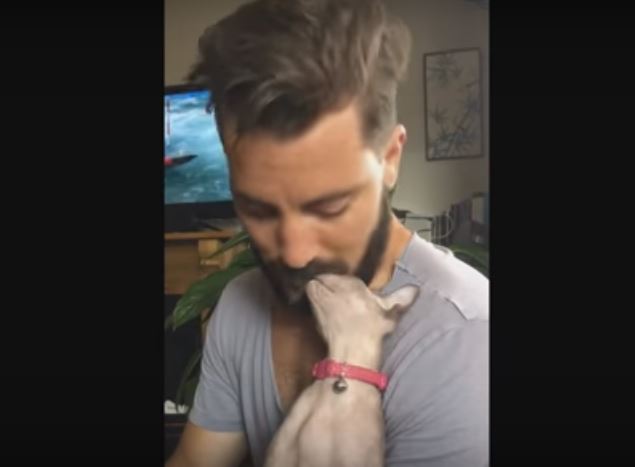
x=431, y=187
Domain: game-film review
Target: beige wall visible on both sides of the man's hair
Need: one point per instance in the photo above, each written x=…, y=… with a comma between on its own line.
x=424, y=187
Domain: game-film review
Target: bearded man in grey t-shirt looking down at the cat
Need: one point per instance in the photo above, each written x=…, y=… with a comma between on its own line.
x=304, y=95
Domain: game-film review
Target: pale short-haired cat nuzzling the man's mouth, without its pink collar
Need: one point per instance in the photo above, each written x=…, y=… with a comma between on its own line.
x=339, y=422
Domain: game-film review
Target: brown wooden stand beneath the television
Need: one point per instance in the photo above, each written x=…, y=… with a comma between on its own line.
x=187, y=257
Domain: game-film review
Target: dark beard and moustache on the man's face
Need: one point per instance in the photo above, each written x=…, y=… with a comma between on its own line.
x=289, y=283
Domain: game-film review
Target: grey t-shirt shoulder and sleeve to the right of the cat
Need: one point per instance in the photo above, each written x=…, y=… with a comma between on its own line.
x=437, y=359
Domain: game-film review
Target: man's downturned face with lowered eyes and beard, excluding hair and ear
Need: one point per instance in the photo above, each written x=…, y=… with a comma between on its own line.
x=312, y=204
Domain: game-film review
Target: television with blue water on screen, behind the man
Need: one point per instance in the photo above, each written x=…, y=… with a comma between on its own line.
x=196, y=185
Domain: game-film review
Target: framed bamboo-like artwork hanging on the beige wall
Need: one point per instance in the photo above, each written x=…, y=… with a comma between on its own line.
x=453, y=104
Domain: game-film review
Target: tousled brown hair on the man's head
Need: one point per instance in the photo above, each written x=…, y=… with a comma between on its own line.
x=278, y=65
